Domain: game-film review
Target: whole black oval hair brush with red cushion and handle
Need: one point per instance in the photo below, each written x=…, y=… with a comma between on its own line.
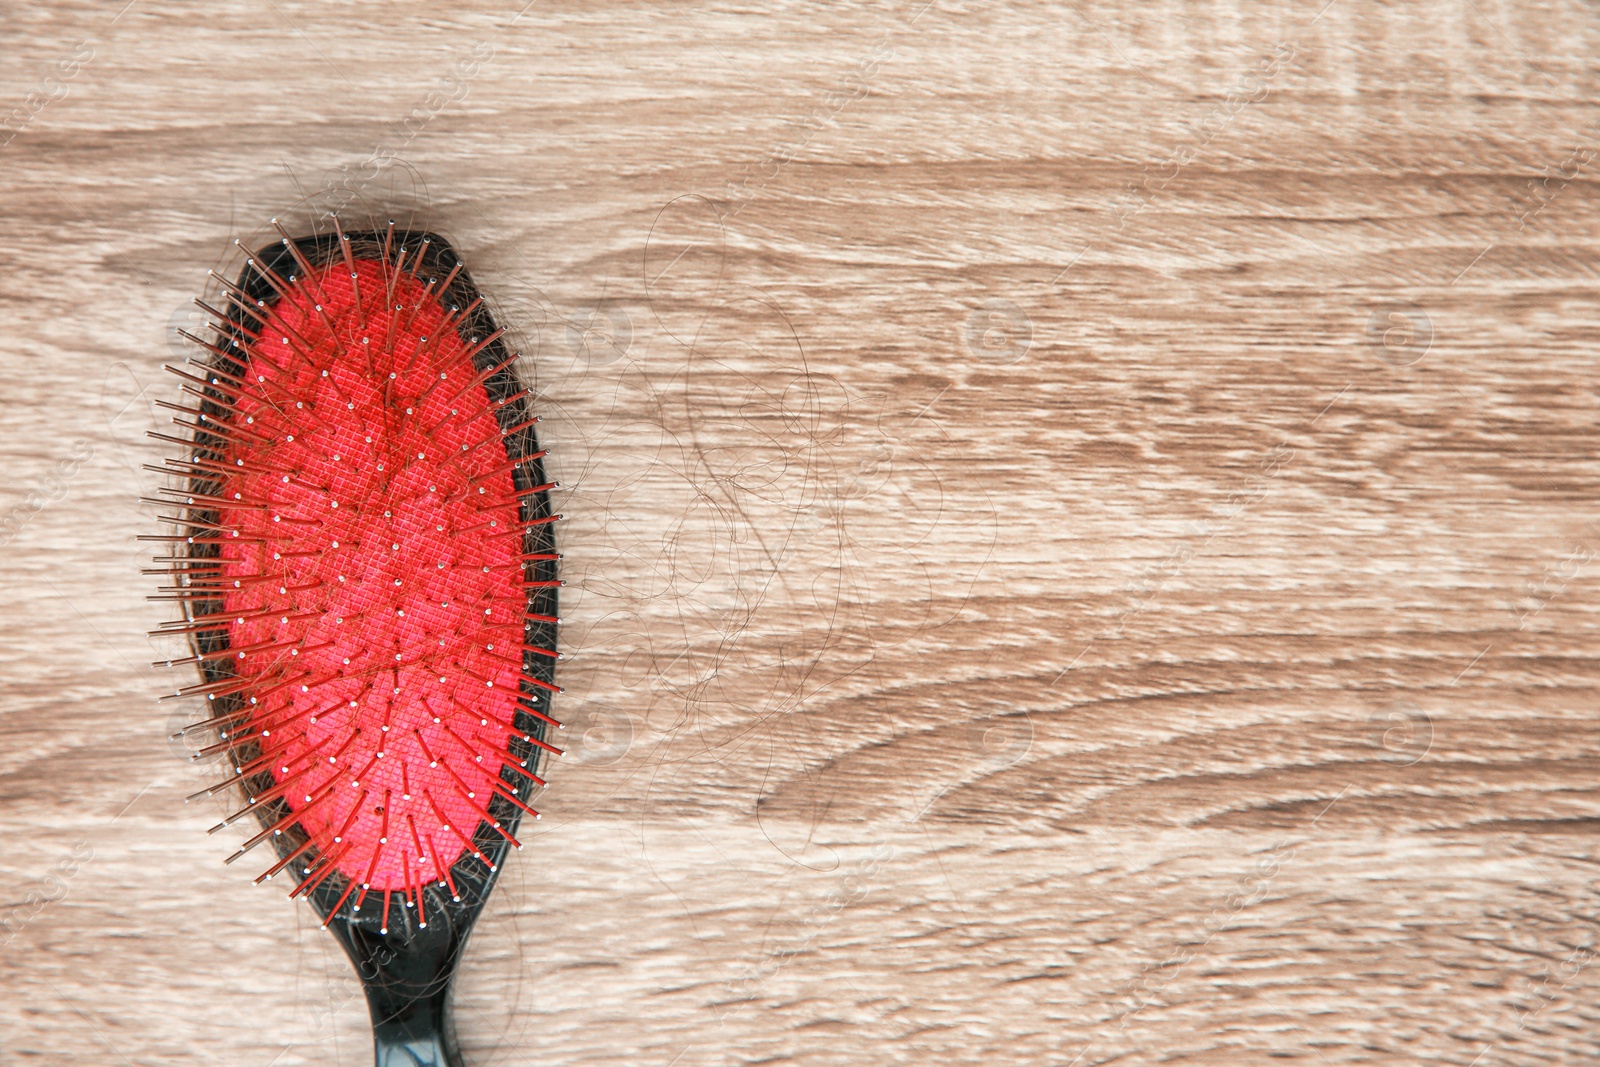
x=367, y=578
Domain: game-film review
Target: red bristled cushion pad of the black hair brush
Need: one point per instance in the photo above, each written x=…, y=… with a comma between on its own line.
x=356, y=570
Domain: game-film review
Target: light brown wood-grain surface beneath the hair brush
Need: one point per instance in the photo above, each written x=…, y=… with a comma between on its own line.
x=1082, y=530
